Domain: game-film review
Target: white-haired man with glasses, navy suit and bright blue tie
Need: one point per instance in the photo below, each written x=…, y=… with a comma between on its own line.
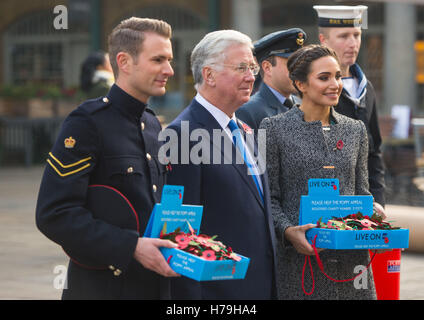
x=235, y=194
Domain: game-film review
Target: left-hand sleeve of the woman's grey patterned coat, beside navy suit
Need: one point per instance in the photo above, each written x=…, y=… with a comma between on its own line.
x=273, y=163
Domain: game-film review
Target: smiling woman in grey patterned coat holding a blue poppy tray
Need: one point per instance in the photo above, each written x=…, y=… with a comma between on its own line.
x=301, y=144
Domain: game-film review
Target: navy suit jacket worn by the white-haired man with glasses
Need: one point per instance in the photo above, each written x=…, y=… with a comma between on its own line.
x=232, y=210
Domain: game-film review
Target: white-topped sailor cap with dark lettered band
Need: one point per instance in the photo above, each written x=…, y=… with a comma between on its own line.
x=340, y=16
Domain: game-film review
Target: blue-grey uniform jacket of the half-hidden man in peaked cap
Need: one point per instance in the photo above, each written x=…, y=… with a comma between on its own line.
x=262, y=104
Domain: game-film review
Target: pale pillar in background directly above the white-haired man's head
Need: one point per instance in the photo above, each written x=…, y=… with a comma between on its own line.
x=246, y=17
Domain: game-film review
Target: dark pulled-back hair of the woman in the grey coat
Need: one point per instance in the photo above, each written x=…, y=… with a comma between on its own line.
x=299, y=63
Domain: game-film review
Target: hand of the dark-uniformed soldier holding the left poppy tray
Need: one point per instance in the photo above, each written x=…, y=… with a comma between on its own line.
x=148, y=254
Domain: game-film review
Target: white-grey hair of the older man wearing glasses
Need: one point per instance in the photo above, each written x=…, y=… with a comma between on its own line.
x=211, y=50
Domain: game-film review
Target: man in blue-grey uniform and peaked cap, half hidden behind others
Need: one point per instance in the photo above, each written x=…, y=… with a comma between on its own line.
x=275, y=94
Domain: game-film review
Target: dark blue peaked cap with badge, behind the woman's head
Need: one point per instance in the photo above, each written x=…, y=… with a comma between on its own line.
x=280, y=43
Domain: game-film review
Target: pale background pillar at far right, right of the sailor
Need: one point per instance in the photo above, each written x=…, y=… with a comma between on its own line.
x=399, y=56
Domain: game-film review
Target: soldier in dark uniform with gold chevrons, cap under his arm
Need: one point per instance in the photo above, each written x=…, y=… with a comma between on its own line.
x=112, y=141
